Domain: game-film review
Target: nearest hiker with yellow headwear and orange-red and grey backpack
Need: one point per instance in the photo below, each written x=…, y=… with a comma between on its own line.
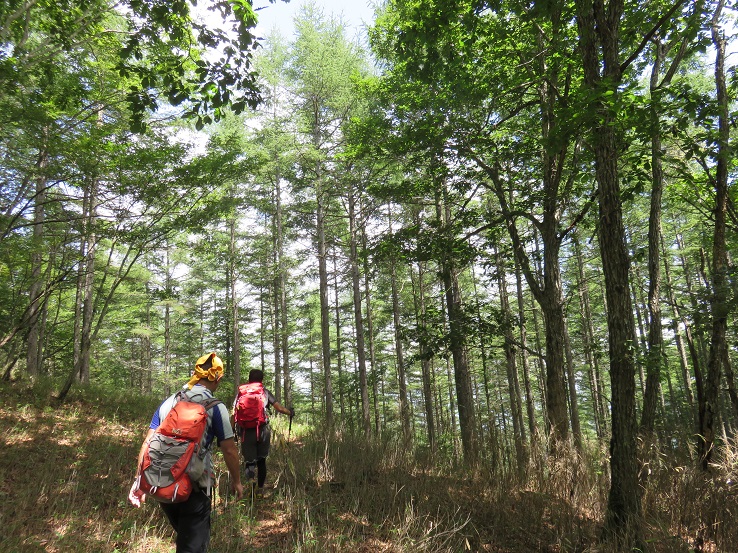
x=186, y=501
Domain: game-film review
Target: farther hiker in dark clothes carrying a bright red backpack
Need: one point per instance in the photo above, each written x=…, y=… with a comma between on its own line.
x=251, y=420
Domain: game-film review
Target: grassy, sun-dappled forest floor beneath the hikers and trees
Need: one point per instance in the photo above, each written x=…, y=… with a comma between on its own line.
x=65, y=472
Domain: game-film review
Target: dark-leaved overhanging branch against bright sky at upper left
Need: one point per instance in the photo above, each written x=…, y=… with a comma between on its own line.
x=170, y=53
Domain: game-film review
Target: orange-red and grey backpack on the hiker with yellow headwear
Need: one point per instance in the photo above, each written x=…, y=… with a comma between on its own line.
x=174, y=459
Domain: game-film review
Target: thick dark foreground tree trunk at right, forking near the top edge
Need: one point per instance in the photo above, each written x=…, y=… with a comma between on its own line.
x=600, y=34
